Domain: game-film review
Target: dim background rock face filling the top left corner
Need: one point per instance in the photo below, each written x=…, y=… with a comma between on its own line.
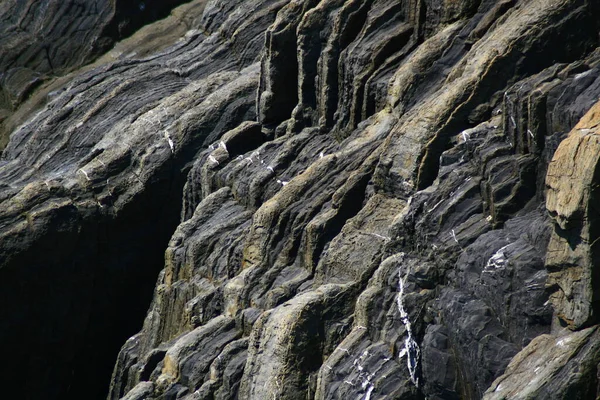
x=43, y=40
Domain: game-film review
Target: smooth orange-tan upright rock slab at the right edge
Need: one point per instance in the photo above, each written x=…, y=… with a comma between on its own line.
x=572, y=201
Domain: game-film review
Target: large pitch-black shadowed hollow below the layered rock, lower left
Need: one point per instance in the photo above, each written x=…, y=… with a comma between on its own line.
x=80, y=292
